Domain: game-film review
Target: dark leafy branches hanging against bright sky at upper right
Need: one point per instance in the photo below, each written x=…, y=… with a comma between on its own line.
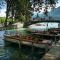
x=46, y=4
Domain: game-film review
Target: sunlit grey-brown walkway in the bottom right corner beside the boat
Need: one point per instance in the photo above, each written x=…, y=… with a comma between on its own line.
x=53, y=53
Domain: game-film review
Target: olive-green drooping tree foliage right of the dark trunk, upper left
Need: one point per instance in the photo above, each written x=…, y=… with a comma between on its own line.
x=22, y=9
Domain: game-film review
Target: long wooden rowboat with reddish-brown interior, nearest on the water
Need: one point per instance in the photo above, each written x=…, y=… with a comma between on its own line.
x=28, y=40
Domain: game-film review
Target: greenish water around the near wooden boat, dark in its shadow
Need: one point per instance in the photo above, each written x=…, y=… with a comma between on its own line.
x=9, y=51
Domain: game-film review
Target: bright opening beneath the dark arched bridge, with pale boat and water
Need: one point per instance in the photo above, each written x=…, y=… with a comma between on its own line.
x=38, y=27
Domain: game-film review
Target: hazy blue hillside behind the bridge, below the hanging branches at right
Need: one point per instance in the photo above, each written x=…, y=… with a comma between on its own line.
x=55, y=14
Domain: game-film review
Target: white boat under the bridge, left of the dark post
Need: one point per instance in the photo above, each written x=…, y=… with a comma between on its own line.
x=37, y=27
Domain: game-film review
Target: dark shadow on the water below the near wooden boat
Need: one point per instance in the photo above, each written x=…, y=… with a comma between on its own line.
x=25, y=53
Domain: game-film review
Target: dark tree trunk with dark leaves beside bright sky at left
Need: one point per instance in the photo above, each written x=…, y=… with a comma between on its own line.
x=9, y=8
